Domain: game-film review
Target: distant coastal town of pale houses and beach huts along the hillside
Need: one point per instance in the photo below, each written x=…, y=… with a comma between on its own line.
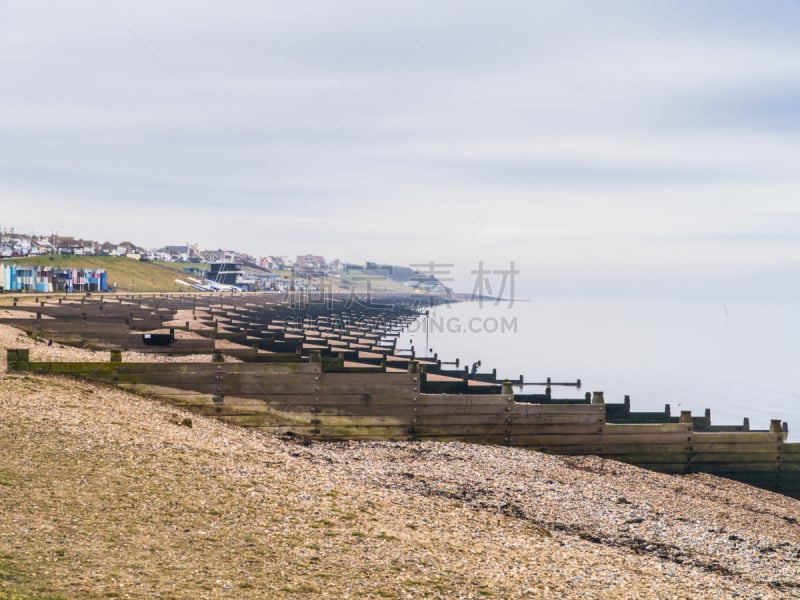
x=23, y=269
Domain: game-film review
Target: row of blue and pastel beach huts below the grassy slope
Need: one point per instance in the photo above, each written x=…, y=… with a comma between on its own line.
x=21, y=278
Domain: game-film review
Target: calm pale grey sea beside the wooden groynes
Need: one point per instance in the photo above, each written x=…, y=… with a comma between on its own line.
x=738, y=359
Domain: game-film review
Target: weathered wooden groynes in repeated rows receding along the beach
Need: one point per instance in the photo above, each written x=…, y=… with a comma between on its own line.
x=332, y=370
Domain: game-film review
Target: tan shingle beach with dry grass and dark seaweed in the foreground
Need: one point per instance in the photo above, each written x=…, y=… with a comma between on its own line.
x=107, y=494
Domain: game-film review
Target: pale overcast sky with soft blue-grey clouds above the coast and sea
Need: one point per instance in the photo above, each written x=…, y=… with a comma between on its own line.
x=649, y=147
